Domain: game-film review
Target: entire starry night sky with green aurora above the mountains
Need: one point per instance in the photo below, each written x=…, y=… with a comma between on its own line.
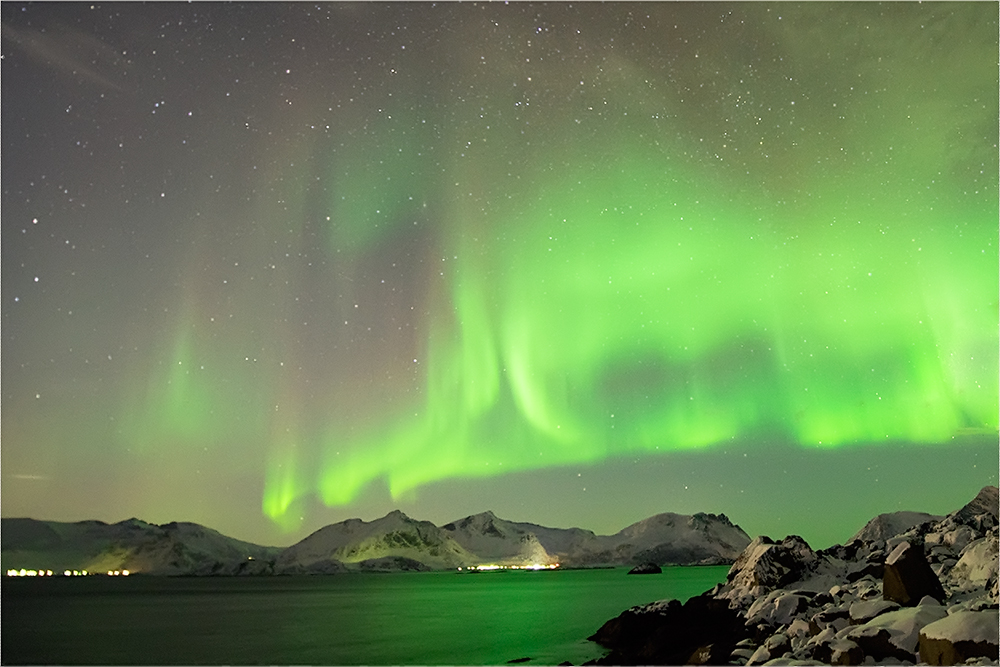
x=268, y=266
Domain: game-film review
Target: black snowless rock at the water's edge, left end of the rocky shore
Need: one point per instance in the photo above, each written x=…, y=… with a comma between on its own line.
x=668, y=633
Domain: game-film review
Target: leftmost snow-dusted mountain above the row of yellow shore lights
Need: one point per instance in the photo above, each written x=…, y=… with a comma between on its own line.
x=134, y=545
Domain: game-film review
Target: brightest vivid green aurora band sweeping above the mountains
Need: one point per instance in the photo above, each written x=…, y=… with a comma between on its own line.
x=624, y=321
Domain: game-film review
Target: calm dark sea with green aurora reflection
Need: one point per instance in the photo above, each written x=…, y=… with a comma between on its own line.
x=437, y=618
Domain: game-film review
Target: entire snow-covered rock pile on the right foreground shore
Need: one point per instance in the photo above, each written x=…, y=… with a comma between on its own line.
x=927, y=595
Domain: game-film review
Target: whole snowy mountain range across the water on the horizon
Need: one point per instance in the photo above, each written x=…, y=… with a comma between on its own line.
x=391, y=543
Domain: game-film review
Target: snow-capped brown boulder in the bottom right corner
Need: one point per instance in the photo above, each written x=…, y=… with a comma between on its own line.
x=960, y=636
